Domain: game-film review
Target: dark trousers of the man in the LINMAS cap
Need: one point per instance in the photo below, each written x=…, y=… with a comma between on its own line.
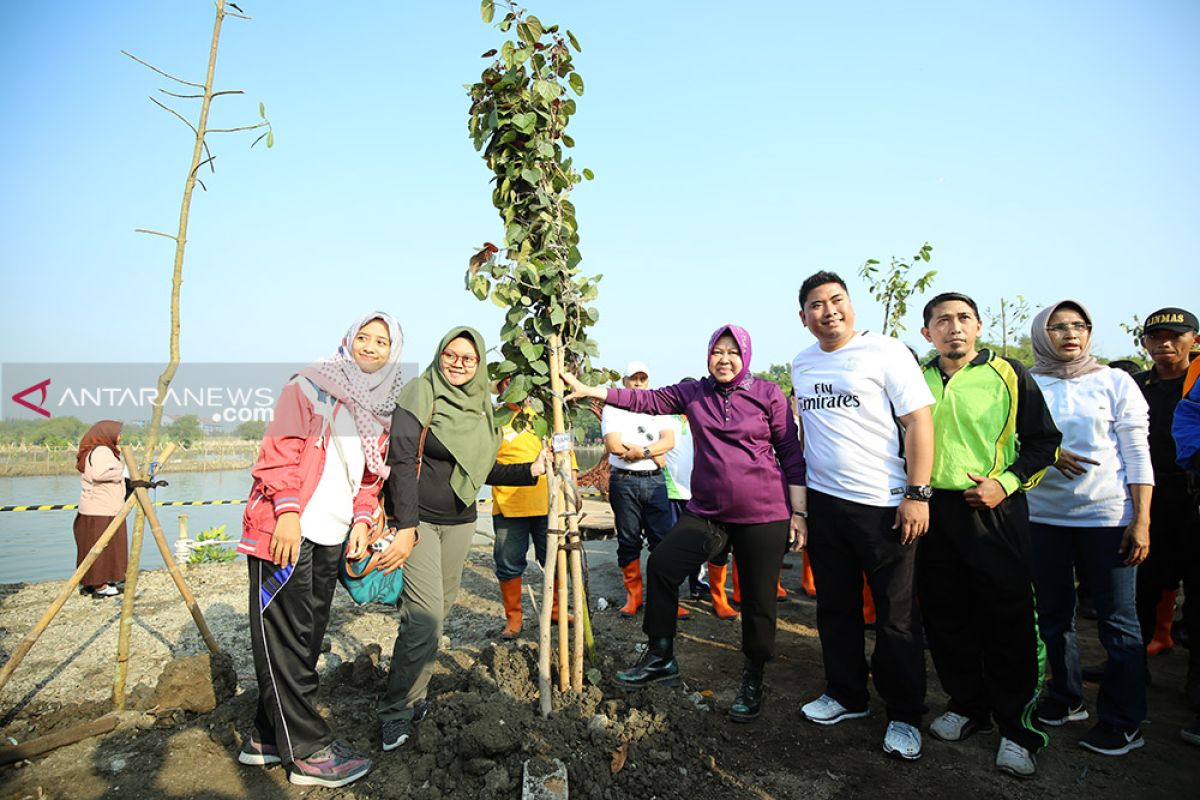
x=1174, y=528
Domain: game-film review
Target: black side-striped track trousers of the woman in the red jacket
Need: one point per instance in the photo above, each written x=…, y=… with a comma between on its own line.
x=289, y=617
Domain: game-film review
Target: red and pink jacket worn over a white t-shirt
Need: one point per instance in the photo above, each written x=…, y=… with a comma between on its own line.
x=290, y=466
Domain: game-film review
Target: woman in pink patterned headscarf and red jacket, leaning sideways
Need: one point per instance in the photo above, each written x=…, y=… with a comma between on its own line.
x=308, y=498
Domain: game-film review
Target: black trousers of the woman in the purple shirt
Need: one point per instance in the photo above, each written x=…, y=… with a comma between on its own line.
x=759, y=550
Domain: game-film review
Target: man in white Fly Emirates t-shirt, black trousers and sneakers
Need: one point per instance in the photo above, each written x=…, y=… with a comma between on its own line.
x=869, y=447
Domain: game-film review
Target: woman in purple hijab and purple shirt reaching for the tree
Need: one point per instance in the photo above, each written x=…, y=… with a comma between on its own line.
x=747, y=478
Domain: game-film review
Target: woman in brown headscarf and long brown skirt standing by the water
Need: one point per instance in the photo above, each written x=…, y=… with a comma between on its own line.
x=101, y=496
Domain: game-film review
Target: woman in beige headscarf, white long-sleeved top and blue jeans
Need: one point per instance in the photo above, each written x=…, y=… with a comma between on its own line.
x=1097, y=501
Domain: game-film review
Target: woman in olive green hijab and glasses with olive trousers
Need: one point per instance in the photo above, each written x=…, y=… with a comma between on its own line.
x=443, y=450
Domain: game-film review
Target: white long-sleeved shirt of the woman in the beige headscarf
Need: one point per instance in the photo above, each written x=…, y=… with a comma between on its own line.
x=1105, y=417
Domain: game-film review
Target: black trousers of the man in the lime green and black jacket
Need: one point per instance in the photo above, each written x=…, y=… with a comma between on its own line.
x=975, y=580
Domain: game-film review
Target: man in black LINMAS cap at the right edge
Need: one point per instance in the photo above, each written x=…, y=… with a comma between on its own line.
x=1168, y=336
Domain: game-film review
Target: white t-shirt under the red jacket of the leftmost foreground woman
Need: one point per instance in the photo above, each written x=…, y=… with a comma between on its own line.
x=327, y=518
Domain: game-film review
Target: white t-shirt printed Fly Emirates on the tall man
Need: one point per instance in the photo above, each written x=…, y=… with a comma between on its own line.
x=849, y=402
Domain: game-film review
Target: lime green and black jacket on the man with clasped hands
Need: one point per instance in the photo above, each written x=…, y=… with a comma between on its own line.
x=991, y=420
